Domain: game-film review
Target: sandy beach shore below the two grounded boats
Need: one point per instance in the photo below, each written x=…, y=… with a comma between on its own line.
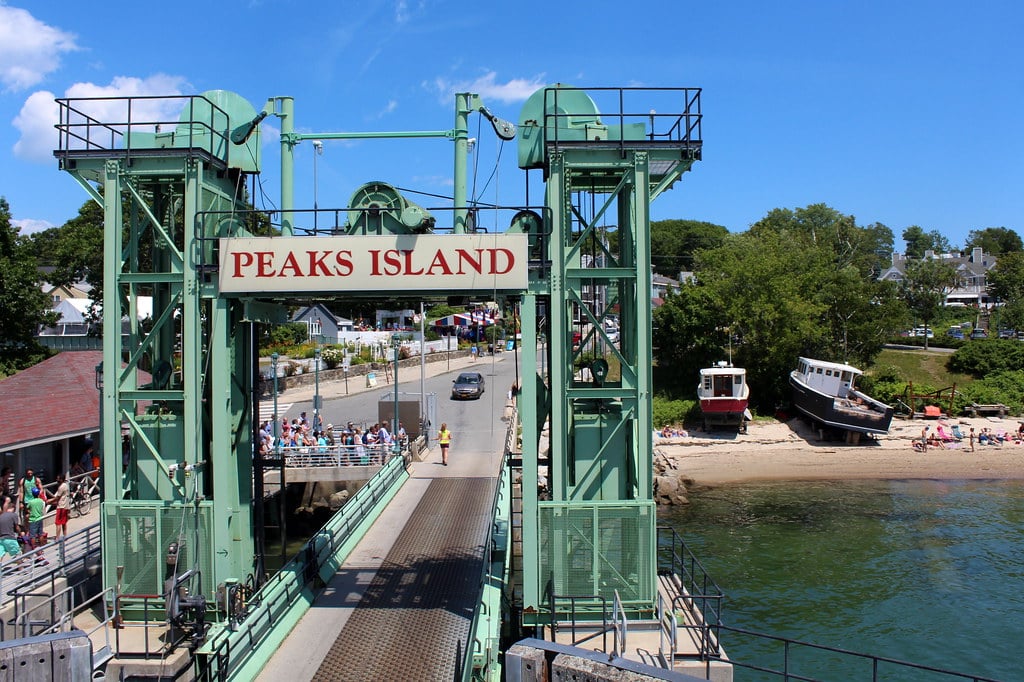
x=777, y=451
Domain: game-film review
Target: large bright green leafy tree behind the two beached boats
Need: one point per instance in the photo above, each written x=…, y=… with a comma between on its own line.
x=798, y=283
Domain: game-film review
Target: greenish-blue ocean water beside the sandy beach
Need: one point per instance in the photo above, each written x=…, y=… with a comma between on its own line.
x=926, y=572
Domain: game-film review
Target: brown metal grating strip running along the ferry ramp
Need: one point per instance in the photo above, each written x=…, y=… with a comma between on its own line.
x=420, y=605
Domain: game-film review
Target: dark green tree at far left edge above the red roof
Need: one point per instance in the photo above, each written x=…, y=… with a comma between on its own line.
x=24, y=306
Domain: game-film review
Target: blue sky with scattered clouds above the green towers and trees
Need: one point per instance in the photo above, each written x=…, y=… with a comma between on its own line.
x=901, y=113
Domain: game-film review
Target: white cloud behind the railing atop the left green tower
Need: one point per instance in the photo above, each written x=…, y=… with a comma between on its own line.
x=40, y=112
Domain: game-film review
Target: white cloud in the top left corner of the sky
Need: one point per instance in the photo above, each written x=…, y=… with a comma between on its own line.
x=29, y=50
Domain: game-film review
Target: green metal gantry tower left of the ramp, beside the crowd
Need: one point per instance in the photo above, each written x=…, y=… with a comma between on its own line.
x=178, y=391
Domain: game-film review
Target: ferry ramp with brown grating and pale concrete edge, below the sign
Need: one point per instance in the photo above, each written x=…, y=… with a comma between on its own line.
x=402, y=605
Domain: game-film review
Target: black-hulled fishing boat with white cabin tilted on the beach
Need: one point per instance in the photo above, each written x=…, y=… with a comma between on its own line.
x=827, y=393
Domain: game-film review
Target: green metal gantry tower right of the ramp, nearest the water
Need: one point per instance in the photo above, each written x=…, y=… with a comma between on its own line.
x=592, y=530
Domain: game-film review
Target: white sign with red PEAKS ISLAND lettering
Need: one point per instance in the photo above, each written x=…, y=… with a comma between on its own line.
x=395, y=263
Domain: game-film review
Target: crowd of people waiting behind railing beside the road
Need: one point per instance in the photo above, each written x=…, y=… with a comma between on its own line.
x=351, y=445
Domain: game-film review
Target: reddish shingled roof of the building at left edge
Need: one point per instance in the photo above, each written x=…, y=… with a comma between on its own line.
x=55, y=400
